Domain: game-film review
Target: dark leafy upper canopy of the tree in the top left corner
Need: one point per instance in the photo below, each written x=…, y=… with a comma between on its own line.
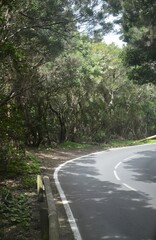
x=31, y=32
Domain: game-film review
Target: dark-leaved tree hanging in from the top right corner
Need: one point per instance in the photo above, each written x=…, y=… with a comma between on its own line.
x=138, y=19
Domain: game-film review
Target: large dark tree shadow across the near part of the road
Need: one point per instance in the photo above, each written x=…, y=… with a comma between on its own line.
x=103, y=209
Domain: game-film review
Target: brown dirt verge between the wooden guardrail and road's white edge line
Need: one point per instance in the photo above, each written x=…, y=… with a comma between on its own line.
x=50, y=160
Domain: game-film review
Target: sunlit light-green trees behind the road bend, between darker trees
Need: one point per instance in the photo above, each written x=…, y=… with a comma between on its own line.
x=92, y=99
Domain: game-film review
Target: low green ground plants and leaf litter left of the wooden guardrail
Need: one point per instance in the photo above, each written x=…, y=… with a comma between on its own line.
x=17, y=198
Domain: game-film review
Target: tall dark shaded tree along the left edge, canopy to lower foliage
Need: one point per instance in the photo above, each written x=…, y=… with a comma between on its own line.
x=31, y=33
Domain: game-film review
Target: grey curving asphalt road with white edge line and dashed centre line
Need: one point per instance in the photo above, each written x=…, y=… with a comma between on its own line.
x=112, y=194
